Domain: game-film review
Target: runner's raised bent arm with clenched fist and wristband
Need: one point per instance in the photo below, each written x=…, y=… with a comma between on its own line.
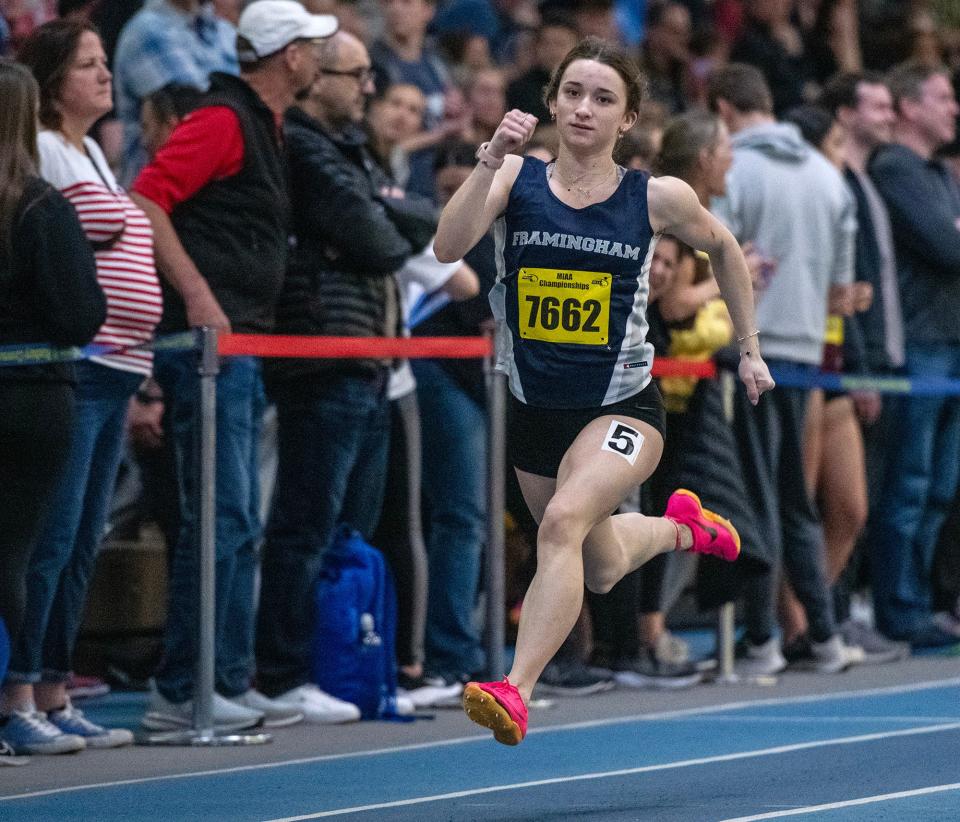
x=483, y=197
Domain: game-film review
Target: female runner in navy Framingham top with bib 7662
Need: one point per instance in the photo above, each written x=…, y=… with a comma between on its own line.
x=574, y=242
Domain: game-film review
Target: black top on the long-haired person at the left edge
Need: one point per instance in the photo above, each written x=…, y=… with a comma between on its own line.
x=48, y=283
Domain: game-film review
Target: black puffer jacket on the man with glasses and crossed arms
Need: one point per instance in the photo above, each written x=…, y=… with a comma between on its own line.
x=349, y=239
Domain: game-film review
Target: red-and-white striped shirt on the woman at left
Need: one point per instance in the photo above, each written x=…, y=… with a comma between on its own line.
x=122, y=239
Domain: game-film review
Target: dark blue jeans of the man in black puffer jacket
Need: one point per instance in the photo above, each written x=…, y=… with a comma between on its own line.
x=333, y=438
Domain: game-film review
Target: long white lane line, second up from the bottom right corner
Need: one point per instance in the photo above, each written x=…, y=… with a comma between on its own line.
x=683, y=763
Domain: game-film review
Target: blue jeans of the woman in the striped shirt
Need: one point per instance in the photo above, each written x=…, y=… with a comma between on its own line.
x=64, y=557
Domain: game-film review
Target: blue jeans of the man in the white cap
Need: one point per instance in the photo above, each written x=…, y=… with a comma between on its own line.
x=240, y=406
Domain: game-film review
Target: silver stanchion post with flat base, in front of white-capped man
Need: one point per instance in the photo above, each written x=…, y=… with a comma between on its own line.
x=203, y=733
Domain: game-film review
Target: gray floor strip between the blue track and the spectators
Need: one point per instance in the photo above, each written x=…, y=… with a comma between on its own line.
x=93, y=767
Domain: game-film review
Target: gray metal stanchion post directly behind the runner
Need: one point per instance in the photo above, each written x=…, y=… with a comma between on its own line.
x=494, y=555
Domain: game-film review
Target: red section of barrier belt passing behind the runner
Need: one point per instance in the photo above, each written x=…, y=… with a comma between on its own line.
x=270, y=345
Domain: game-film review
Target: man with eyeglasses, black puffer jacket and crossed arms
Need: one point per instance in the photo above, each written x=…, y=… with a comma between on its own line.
x=351, y=234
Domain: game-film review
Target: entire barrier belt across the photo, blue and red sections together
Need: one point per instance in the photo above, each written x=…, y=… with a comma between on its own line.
x=286, y=346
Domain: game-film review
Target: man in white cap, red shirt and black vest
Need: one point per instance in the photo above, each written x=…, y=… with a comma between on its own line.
x=216, y=195
